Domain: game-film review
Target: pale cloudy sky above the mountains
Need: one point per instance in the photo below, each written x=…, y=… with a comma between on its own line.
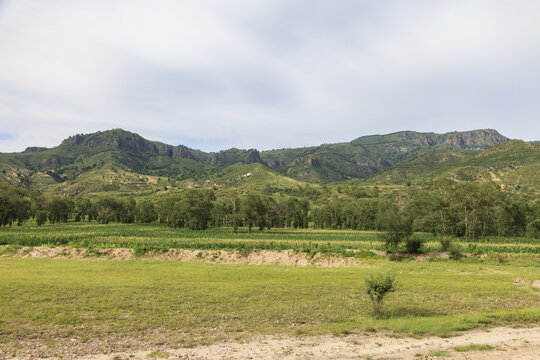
x=266, y=74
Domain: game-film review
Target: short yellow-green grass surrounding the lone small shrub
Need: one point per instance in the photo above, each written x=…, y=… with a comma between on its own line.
x=49, y=300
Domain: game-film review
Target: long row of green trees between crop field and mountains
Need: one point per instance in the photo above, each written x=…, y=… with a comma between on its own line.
x=446, y=207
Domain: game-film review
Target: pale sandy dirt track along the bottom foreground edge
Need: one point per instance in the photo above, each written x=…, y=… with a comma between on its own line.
x=507, y=343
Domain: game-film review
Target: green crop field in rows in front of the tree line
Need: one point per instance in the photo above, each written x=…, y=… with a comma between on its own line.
x=145, y=237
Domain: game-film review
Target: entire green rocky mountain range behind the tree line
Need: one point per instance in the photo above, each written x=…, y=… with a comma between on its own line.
x=122, y=161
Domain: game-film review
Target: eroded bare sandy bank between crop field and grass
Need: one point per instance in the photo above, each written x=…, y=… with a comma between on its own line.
x=255, y=257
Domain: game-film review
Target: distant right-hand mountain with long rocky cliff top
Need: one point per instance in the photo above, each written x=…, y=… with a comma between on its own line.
x=369, y=155
